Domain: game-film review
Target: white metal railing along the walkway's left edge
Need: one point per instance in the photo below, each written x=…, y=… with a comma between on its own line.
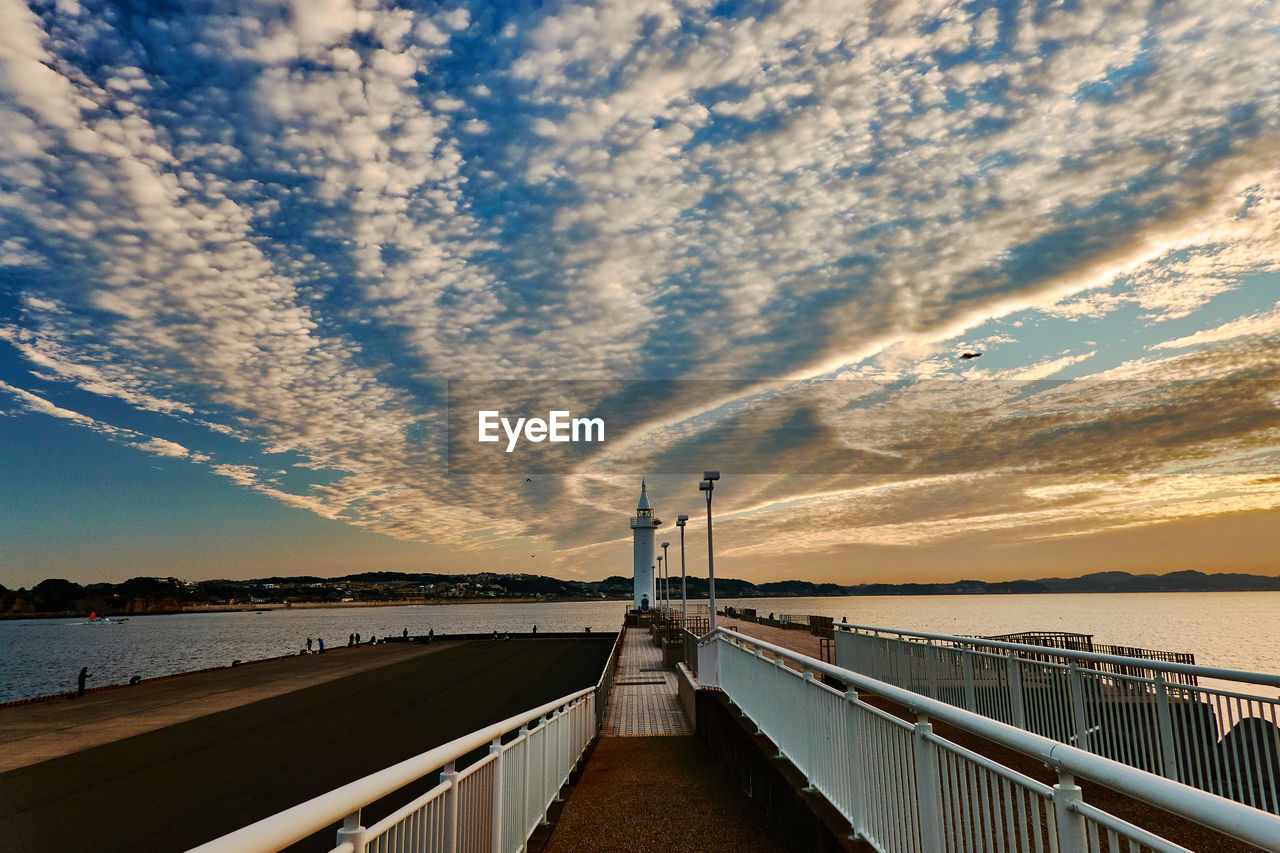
x=495, y=805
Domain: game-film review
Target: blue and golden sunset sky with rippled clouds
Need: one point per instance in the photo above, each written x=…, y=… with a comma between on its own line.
x=262, y=263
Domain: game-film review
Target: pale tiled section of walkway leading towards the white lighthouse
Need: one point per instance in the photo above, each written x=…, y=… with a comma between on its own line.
x=643, y=701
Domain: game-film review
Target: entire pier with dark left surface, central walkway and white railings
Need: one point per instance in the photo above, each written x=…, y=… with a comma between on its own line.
x=751, y=745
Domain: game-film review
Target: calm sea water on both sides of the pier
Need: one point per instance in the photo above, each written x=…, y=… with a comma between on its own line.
x=1236, y=631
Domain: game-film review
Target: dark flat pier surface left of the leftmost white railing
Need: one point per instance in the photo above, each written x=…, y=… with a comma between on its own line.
x=185, y=784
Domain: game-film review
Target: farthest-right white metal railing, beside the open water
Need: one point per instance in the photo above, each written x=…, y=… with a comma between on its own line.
x=1208, y=728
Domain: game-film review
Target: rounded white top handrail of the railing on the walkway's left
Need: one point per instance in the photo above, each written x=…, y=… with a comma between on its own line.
x=294, y=824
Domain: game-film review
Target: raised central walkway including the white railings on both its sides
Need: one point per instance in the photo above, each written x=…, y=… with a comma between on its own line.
x=830, y=758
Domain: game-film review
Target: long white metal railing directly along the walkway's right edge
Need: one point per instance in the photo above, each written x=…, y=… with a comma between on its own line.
x=906, y=790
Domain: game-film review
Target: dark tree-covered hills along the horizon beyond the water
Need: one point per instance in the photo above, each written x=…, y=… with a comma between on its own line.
x=171, y=595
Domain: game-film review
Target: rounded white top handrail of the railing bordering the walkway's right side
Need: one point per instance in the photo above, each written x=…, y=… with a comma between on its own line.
x=1209, y=810
